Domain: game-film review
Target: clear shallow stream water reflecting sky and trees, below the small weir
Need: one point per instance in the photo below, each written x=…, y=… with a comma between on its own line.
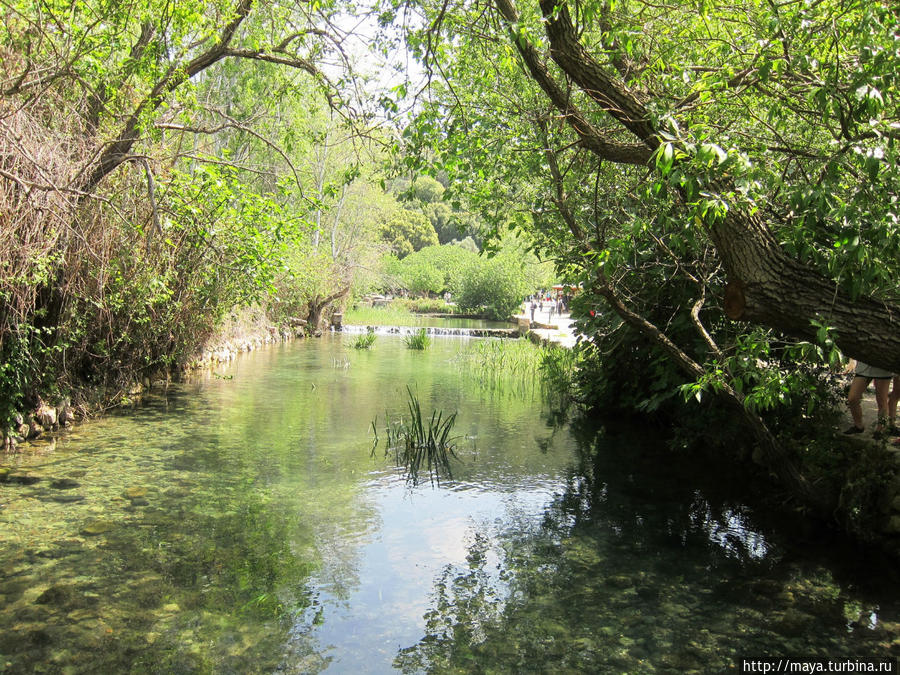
x=242, y=525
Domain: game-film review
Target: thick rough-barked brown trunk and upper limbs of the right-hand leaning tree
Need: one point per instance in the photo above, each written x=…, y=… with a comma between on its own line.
x=765, y=286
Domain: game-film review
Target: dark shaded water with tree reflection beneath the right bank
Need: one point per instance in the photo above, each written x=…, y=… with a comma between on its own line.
x=641, y=566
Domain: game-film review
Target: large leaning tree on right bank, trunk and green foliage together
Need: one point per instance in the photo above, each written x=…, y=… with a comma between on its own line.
x=690, y=169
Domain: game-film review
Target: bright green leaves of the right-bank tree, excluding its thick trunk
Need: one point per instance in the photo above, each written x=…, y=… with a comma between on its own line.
x=783, y=112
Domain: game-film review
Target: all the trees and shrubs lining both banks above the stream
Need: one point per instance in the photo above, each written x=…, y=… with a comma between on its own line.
x=721, y=181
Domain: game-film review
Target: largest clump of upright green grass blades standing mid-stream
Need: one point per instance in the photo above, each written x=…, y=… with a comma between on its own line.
x=420, y=442
